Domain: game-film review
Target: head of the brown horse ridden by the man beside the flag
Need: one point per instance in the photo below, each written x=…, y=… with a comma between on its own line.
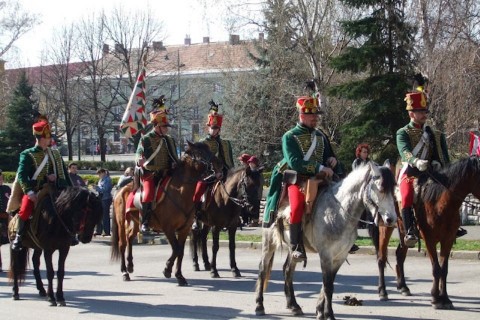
x=202, y=159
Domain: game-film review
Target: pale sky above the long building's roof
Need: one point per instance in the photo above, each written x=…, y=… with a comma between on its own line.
x=180, y=17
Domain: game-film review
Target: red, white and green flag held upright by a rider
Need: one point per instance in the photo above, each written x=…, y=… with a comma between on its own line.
x=134, y=119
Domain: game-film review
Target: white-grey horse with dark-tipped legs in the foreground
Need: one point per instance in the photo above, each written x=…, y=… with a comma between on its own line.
x=330, y=232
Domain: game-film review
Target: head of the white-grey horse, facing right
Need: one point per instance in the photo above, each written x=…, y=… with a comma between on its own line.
x=378, y=196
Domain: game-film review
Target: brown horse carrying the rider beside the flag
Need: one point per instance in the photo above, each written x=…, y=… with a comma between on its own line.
x=173, y=215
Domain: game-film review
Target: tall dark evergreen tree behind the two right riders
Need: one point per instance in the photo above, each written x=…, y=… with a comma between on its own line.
x=380, y=59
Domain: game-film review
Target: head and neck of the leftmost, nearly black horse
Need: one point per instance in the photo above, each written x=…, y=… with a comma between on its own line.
x=83, y=207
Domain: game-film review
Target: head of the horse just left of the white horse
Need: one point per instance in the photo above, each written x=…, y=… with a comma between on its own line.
x=250, y=189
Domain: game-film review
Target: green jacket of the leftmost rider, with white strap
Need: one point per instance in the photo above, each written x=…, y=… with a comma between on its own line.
x=30, y=160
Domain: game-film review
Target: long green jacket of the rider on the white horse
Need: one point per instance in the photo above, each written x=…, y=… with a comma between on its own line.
x=295, y=145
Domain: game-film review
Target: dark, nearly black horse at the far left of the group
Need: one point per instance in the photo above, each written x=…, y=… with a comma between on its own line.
x=76, y=210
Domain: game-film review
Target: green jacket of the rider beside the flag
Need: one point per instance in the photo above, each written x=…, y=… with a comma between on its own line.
x=165, y=157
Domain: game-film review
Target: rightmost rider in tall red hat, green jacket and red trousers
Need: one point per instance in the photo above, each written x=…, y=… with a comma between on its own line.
x=420, y=147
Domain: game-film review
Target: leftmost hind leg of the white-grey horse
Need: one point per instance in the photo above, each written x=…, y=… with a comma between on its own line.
x=265, y=269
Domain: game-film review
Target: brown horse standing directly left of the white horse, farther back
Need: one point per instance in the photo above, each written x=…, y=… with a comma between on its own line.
x=242, y=189
